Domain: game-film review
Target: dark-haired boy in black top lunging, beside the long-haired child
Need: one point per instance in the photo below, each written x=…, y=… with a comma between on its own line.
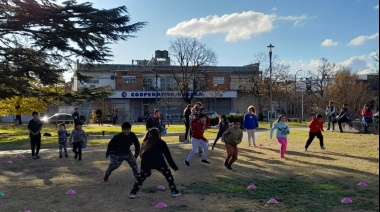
x=119, y=148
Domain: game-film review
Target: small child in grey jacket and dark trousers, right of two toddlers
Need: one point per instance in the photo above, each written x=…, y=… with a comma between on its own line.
x=78, y=140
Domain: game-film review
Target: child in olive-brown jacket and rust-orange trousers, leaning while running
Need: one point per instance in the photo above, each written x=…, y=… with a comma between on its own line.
x=232, y=137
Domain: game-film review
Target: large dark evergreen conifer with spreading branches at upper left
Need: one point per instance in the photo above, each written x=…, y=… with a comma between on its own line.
x=40, y=39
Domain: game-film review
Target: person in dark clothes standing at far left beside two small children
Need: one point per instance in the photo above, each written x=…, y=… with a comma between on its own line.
x=35, y=127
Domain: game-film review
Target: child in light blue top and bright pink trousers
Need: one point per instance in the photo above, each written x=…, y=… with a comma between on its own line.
x=282, y=132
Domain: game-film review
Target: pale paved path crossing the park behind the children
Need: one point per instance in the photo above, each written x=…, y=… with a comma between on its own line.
x=103, y=148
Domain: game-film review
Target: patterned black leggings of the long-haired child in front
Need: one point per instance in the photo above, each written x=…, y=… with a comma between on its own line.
x=146, y=173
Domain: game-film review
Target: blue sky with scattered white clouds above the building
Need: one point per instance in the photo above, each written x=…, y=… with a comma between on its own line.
x=345, y=32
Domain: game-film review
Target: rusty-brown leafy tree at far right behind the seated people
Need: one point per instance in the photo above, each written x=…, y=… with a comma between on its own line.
x=348, y=89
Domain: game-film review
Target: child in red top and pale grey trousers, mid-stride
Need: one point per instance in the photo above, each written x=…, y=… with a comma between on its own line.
x=198, y=126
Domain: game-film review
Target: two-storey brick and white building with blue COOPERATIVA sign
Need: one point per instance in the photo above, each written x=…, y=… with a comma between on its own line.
x=147, y=84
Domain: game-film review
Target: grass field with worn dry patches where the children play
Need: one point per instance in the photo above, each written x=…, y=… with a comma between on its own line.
x=316, y=180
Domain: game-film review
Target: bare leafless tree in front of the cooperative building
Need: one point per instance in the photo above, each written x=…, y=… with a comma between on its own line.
x=193, y=59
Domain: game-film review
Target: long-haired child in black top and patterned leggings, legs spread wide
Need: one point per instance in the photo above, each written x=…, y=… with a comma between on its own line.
x=153, y=153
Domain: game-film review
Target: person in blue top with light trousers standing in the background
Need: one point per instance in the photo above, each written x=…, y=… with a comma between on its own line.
x=250, y=123
